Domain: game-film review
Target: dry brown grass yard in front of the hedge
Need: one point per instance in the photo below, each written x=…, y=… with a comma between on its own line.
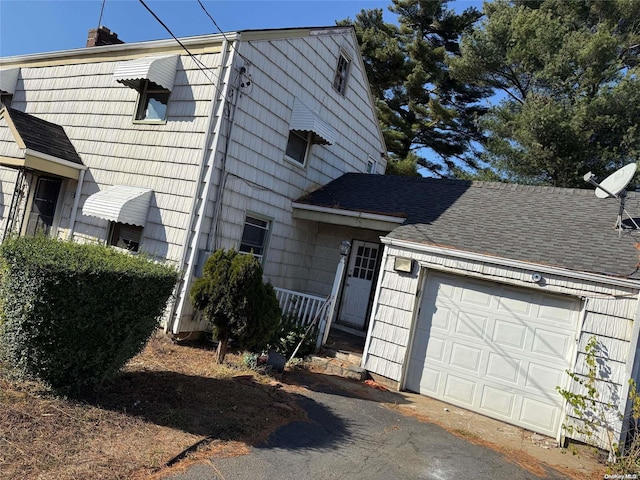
x=169, y=400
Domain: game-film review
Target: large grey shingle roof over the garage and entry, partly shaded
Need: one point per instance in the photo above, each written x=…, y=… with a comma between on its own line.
x=568, y=228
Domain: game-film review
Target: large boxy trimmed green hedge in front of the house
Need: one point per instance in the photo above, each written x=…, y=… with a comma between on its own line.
x=73, y=315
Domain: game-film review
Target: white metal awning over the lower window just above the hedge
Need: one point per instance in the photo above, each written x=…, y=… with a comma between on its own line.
x=120, y=203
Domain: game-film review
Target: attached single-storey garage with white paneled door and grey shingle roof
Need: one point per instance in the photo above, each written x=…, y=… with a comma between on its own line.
x=487, y=293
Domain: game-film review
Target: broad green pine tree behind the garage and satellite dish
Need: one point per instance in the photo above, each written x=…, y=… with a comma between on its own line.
x=566, y=75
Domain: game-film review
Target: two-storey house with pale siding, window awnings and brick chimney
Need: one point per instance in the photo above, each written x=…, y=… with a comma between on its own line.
x=177, y=150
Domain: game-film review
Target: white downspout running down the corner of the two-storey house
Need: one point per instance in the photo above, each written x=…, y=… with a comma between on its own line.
x=197, y=211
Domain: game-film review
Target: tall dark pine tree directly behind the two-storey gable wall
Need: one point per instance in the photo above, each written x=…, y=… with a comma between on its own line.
x=428, y=117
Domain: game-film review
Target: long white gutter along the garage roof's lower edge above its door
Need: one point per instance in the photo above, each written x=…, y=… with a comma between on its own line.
x=592, y=277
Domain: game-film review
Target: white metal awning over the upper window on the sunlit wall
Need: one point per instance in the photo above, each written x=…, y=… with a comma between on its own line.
x=158, y=70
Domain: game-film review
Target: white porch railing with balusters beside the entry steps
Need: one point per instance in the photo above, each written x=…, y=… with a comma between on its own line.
x=306, y=308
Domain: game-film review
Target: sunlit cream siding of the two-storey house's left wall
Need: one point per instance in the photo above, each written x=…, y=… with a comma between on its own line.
x=96, y=112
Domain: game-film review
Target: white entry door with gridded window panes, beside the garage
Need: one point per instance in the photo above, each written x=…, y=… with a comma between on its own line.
x=357, y=288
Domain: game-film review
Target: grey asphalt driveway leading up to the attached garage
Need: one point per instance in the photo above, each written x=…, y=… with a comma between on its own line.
x=348, y=436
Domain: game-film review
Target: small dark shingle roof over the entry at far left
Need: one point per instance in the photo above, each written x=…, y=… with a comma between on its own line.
x=44, y=137
